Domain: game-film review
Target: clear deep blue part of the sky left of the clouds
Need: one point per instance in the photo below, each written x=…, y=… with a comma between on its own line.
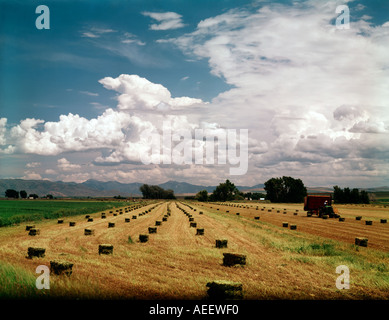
x=35, y=58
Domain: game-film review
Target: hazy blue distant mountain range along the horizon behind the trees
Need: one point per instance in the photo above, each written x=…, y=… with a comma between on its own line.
x=94, y=188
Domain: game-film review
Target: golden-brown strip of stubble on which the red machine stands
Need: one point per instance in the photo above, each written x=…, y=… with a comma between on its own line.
x=332, y=228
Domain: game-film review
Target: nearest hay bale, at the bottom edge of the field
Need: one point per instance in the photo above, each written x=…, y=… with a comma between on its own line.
x=222, y=289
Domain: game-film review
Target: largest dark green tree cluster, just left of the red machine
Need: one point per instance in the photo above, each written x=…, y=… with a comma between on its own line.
x=285, y=189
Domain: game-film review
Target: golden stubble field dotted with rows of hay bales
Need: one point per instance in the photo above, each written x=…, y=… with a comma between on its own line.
x=177, y=264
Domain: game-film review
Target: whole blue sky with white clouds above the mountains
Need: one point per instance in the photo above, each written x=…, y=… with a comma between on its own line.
x=312, y=91
